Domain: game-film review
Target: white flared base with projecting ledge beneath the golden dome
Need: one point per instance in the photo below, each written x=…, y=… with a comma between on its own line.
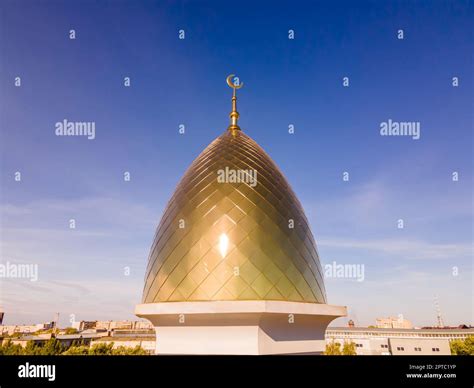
x=239, y=327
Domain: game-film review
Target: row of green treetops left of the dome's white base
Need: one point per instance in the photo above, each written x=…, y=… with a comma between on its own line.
x=53, y=347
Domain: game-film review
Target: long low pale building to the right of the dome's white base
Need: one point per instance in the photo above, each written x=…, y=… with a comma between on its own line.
x=384, y=341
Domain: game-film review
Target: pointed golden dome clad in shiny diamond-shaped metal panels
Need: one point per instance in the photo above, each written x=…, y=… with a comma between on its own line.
x=232, y=241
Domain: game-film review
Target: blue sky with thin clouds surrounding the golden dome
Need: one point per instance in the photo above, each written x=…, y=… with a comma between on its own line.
x=297, y=82
